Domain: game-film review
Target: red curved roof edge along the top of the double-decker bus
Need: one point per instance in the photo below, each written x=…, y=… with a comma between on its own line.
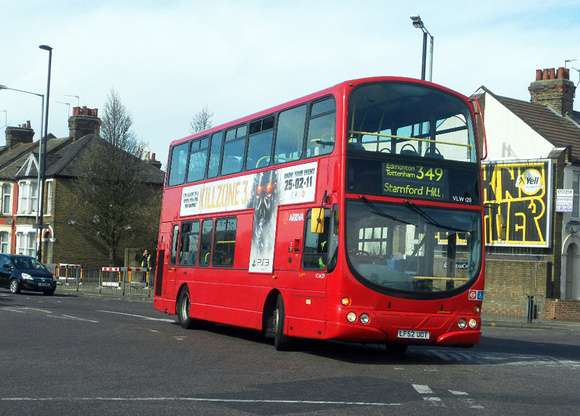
x=318, y=94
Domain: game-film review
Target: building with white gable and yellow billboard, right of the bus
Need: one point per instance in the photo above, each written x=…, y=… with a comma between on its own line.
x=534, y=151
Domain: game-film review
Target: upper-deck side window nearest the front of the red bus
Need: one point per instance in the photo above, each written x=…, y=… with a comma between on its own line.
x=321, y=128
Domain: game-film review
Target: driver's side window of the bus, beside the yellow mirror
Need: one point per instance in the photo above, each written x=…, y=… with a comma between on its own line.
x=315, y=253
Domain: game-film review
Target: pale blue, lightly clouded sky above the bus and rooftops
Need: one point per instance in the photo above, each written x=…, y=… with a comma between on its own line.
x=169, y=59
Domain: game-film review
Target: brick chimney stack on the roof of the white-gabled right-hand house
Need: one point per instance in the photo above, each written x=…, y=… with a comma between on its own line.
x=553, y=89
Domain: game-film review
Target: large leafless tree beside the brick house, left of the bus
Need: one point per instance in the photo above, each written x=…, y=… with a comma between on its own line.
x=118, y=193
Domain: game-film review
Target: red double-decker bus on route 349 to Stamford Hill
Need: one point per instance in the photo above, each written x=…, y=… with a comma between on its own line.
x=353, y=213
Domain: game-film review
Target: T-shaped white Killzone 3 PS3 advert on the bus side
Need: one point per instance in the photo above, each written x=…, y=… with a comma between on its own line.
x=262, y=192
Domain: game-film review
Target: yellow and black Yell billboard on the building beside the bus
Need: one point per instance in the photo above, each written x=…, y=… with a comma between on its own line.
x=517, y=197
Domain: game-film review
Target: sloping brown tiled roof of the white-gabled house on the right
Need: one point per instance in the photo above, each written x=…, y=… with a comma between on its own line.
x=558, y=130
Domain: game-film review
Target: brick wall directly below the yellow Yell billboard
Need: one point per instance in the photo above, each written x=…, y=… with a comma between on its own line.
x=508, y=284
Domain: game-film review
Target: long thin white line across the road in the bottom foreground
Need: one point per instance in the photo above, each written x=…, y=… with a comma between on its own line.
x=190, y=399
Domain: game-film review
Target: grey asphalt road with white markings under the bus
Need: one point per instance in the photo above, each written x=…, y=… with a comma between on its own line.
x=68, y=355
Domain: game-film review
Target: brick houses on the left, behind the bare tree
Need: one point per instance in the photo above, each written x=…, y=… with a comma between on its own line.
x=63, y=241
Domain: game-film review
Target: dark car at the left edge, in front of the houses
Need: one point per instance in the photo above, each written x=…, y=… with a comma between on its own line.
x=25, y=273
